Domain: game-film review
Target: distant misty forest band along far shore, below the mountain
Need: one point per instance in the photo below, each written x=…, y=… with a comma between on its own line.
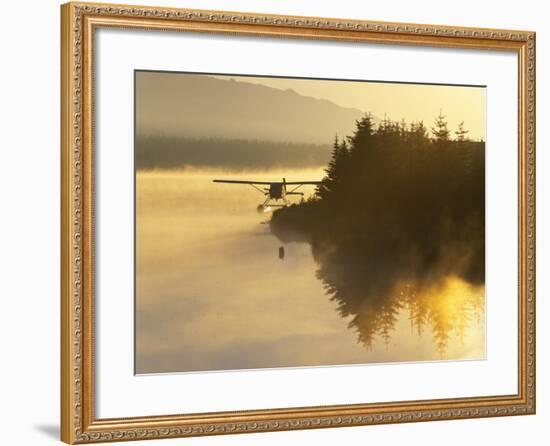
x=170, y=152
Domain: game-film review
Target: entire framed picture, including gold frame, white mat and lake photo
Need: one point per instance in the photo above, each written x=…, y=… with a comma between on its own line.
x=237, y=232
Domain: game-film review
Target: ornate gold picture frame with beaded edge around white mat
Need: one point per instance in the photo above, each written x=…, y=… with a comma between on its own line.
x=78, y=24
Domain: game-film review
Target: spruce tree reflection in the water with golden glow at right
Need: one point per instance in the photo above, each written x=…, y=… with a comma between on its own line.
x=445, y=306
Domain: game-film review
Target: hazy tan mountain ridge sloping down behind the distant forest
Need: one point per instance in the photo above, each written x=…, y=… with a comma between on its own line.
x=198, y=106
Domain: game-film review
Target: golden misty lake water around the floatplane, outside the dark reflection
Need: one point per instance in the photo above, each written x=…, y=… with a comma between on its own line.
x=213, y=294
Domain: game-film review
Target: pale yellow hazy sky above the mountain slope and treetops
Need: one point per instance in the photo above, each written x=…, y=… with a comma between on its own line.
x=412, y=102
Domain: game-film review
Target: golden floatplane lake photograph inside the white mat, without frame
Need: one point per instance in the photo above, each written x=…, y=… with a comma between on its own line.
x=293, y=222
